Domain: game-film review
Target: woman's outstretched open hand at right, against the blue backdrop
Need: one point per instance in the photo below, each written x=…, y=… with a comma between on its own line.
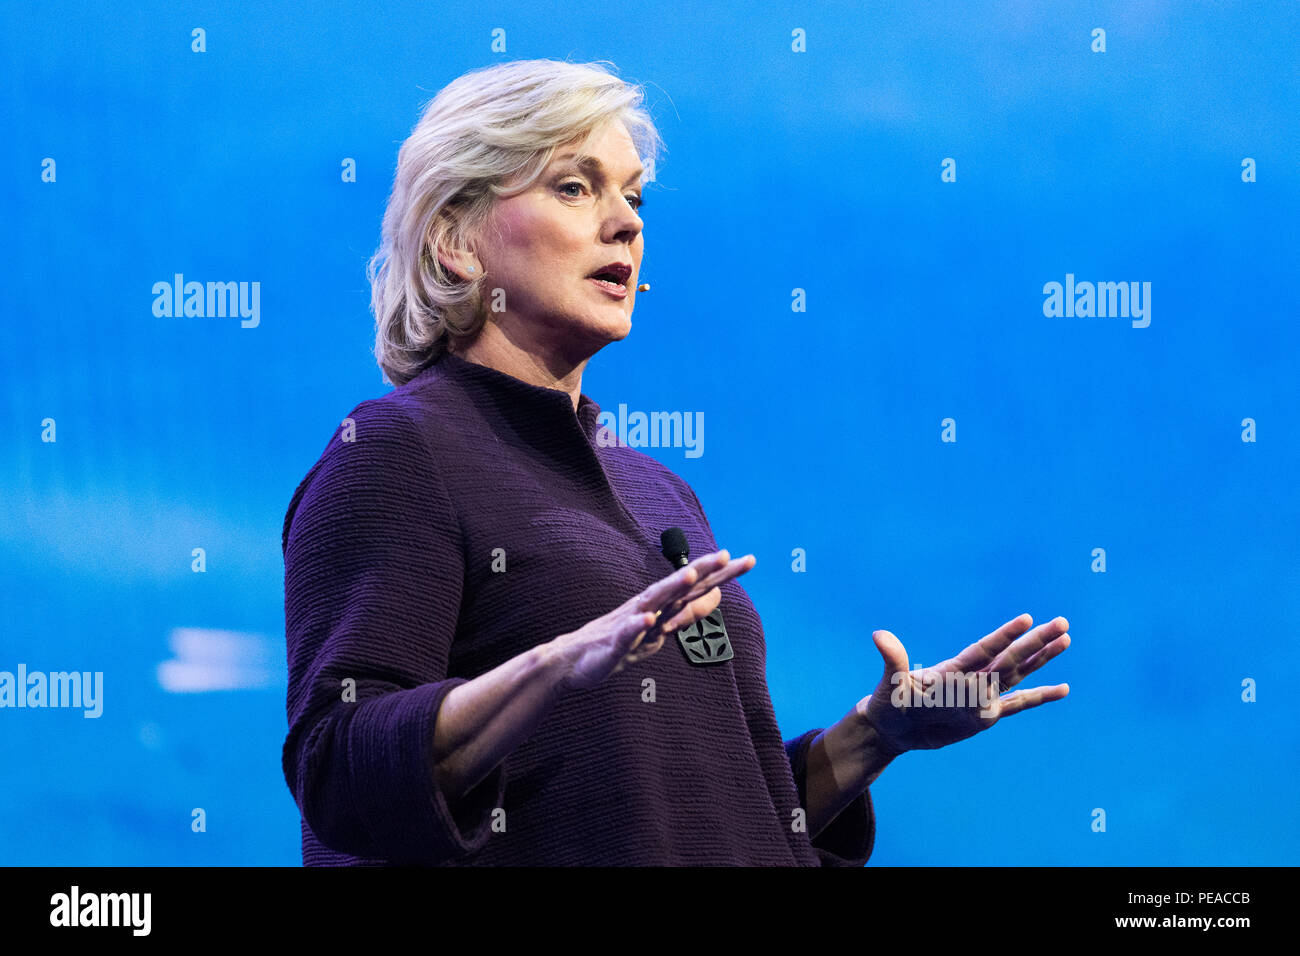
x=908, y=719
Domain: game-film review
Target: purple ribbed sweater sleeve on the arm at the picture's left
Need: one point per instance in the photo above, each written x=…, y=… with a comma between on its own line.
x=374, y=578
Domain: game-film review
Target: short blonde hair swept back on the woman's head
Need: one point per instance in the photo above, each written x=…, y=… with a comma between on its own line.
x=488, y=135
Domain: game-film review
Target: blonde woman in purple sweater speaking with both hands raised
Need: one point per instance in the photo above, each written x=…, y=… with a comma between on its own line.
x=483, y=633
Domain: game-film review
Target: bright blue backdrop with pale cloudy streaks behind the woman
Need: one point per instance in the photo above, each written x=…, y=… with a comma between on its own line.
x=816, y=171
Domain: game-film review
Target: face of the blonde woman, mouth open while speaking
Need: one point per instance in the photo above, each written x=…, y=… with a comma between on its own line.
x=543, y=246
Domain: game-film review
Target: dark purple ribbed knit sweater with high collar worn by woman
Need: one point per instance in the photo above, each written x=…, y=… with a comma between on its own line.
x=393, y=547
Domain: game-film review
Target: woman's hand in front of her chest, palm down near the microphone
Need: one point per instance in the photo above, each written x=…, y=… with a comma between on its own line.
x=638, y=629
